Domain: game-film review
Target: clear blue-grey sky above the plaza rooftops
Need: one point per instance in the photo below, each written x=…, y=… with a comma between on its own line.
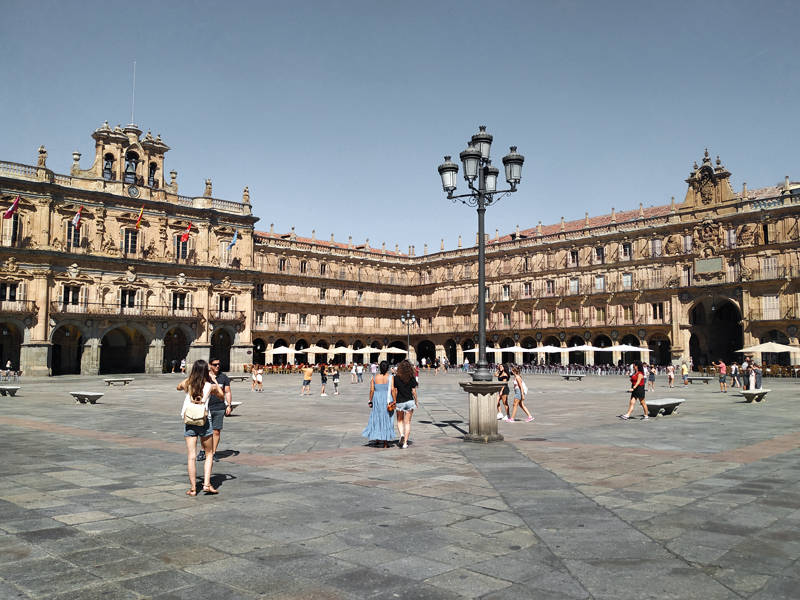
x=337, y=113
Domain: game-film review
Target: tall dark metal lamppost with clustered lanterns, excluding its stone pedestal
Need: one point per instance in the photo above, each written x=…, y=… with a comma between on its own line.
x=478, y=166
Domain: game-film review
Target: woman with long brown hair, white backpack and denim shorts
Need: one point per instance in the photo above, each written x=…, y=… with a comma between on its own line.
x=199, y=387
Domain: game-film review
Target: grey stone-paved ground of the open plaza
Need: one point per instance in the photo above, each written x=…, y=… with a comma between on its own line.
x=577, y=504
